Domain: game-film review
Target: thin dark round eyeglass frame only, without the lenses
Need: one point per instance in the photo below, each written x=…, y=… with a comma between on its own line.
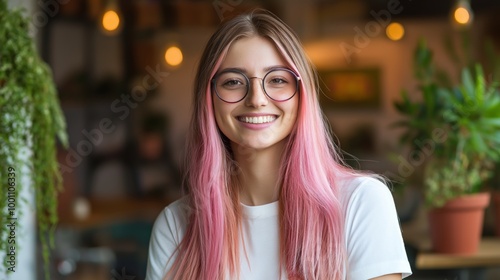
x=214, y=85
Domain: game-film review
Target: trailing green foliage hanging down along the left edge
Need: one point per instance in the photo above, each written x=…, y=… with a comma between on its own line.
x=30, y=120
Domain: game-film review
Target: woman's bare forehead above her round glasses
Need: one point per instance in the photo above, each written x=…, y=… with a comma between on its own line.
x=253, y=54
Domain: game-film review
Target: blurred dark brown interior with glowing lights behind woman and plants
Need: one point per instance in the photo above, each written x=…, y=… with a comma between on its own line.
x=124, y=71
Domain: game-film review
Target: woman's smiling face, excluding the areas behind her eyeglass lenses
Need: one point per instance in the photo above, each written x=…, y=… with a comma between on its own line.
x=257, y=121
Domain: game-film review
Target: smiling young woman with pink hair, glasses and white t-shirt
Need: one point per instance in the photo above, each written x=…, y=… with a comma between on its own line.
x=268, y=196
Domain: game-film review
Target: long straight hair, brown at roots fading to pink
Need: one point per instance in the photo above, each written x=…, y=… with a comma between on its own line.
x=311, y=219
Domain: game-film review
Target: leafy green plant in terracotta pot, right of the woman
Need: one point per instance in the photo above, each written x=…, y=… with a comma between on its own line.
x=460, y=126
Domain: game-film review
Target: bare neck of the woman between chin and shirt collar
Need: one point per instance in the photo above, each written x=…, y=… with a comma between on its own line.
x=259, y=173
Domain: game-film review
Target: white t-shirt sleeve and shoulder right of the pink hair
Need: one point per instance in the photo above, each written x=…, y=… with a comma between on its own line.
x=373, y=239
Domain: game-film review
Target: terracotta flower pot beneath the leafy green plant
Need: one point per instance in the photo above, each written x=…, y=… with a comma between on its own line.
x=456, y=227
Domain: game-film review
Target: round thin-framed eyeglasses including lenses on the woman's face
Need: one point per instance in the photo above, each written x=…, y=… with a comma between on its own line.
x=279, y=84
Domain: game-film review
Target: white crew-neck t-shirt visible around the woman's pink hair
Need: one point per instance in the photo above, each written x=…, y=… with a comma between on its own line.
x=372, y=234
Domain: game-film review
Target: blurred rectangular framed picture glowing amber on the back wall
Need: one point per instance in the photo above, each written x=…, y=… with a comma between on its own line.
x=350, y=88
